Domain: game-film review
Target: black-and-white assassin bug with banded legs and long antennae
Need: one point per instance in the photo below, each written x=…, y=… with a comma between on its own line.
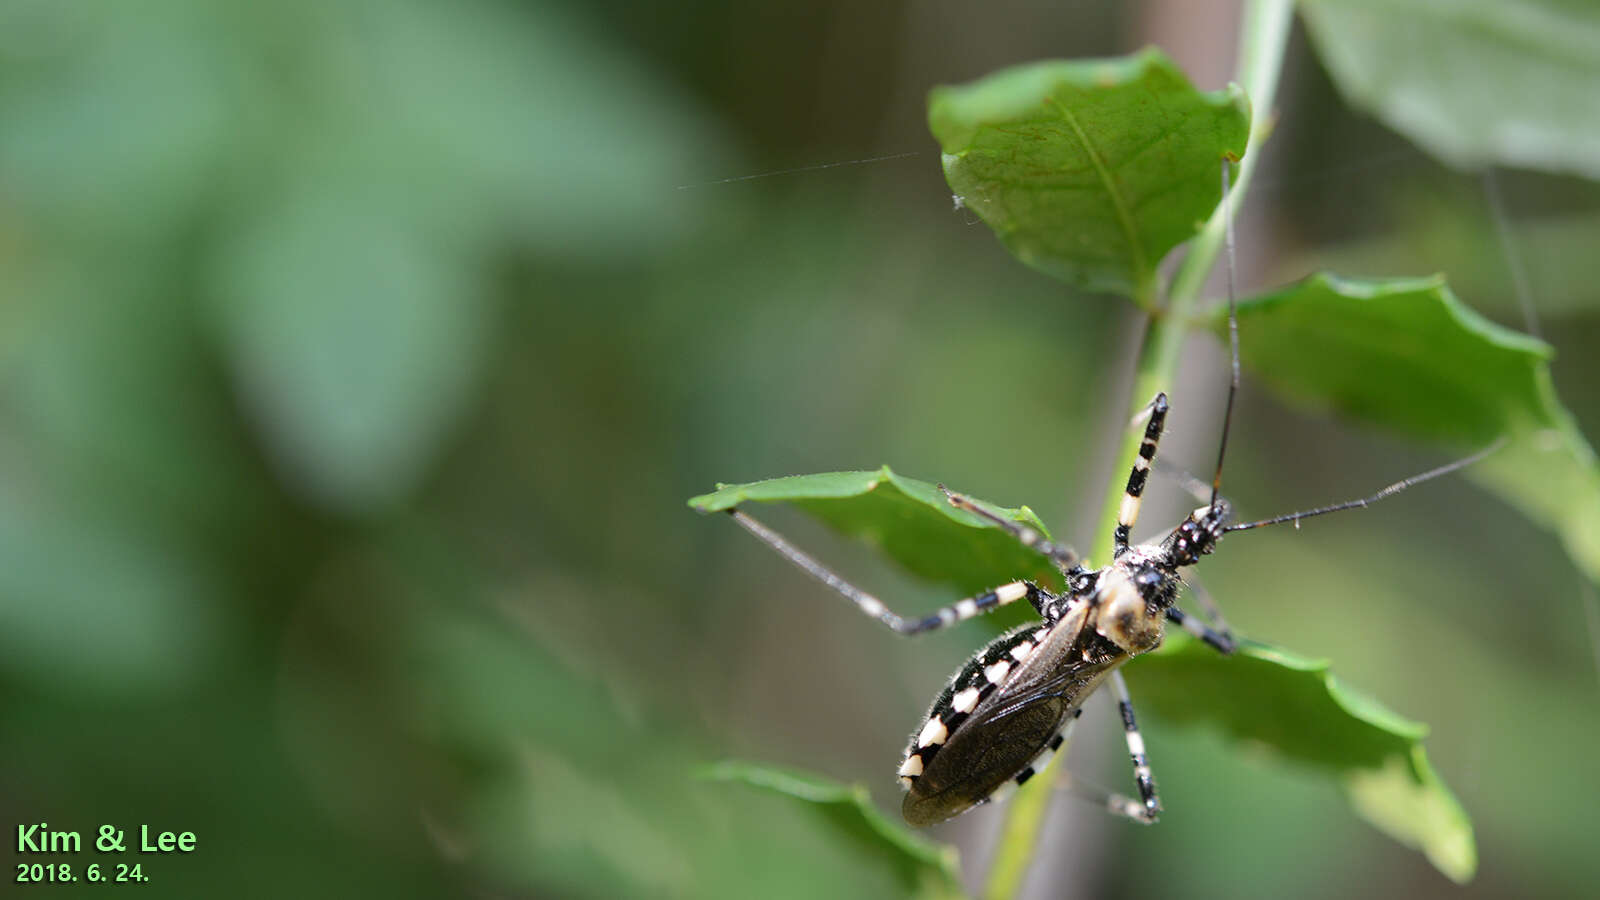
x=1010, y=709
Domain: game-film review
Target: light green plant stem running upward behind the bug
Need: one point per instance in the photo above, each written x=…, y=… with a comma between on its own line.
x=1263, y=39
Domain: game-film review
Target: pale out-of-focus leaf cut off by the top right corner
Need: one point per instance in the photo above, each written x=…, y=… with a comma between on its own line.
x=1476, y=82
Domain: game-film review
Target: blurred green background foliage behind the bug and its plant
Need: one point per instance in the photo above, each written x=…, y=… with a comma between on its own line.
x=358, y=360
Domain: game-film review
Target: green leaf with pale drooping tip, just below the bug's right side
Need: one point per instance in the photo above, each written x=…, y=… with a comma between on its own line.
x=1298, y=710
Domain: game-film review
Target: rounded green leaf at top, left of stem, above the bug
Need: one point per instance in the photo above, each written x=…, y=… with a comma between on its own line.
x=1090, y=171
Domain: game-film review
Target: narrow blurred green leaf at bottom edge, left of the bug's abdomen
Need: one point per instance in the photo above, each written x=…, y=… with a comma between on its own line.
x=926, y=869
